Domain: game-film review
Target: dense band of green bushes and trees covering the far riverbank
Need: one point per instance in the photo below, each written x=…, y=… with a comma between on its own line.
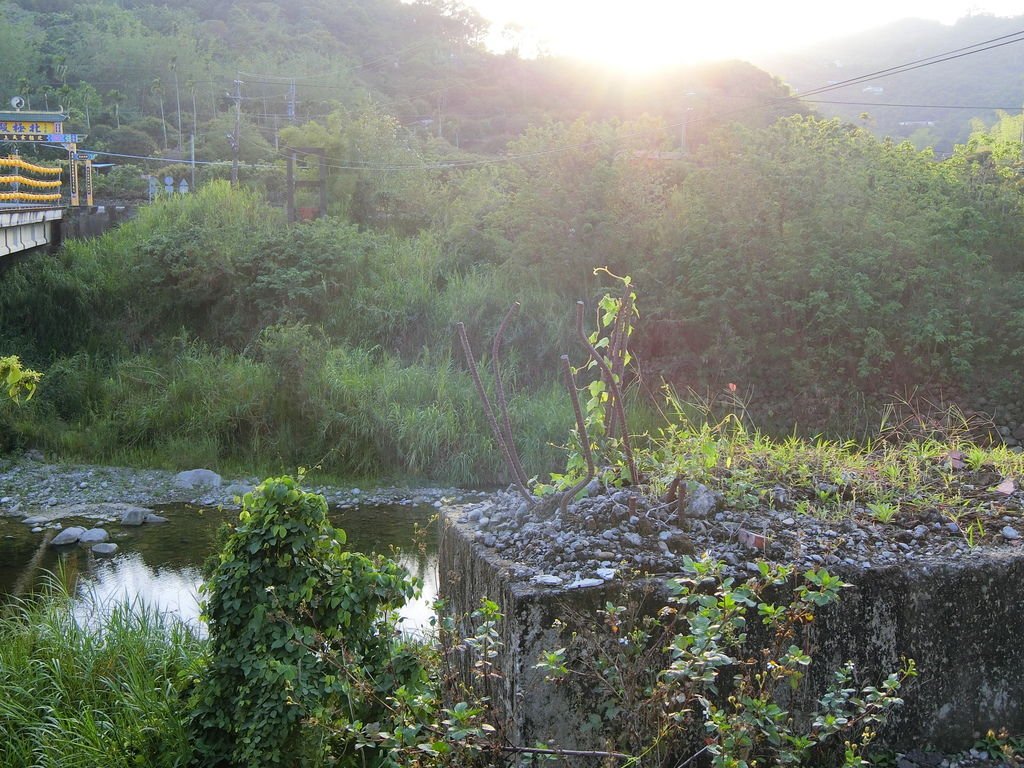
x=818, y=267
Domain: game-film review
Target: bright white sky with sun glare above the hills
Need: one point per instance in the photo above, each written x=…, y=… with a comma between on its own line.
x=643, y=35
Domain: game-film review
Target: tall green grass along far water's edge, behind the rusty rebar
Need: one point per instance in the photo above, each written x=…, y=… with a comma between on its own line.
x=295, y=401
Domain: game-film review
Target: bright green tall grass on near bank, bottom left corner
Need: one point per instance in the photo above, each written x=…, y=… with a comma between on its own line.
x=78, y=695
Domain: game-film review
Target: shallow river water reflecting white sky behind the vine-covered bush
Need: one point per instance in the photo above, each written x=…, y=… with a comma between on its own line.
x=161, y=565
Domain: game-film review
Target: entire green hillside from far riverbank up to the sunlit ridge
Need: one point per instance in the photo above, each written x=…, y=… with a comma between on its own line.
x=817, y=267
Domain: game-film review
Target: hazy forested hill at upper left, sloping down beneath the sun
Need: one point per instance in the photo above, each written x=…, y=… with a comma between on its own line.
x=165, y=70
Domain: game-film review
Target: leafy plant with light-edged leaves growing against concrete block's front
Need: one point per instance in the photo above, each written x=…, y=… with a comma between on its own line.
x=655, y=680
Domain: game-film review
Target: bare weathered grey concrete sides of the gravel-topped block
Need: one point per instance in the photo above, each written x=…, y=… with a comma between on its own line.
x=962, y=622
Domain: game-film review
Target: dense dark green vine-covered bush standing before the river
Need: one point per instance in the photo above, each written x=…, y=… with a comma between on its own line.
x=302, y=637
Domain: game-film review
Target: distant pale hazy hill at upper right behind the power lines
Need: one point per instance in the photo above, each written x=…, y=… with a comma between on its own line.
x=952, y=94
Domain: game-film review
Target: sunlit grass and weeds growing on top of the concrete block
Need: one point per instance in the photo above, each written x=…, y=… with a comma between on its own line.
x=902, y=477
